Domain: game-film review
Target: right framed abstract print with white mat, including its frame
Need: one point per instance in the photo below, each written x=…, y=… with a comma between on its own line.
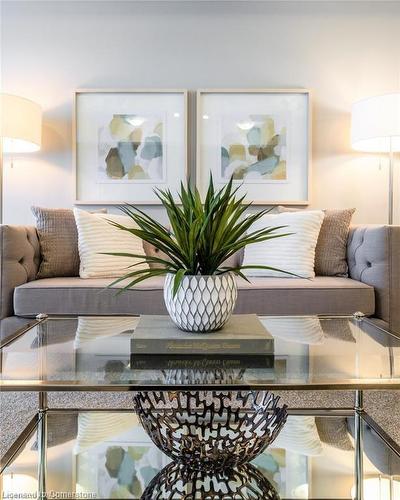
x=261, y=138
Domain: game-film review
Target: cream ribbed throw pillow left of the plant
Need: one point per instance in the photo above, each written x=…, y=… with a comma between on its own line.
x=96, y=235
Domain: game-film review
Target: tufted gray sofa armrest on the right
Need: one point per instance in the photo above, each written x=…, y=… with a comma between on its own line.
x=373, y=256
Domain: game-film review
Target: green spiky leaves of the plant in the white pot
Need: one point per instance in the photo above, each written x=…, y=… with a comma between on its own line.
x=202, y=236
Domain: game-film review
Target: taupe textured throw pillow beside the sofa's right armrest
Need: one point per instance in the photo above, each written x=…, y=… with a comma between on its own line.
x=330, y=254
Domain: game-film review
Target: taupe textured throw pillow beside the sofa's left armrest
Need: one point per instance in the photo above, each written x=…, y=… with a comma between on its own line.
x=58, y=239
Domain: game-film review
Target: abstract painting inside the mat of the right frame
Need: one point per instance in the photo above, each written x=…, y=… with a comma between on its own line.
x=253, y=148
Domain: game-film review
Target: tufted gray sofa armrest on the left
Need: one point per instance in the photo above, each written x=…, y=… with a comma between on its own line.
x=20, y=259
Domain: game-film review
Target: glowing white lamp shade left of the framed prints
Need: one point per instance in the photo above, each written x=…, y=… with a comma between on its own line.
x=21, y=124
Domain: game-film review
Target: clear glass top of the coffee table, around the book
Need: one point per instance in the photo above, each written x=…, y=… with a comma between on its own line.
x=93, y=353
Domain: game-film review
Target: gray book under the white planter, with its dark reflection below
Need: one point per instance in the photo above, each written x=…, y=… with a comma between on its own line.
x=242, y=343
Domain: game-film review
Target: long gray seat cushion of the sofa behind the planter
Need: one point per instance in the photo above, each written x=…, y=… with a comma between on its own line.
x=264, y=295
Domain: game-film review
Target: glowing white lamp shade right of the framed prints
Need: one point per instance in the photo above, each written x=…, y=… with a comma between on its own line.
x=375, y=124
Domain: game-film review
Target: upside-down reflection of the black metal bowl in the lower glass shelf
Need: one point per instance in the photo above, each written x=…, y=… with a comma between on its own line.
x=178, y=482
